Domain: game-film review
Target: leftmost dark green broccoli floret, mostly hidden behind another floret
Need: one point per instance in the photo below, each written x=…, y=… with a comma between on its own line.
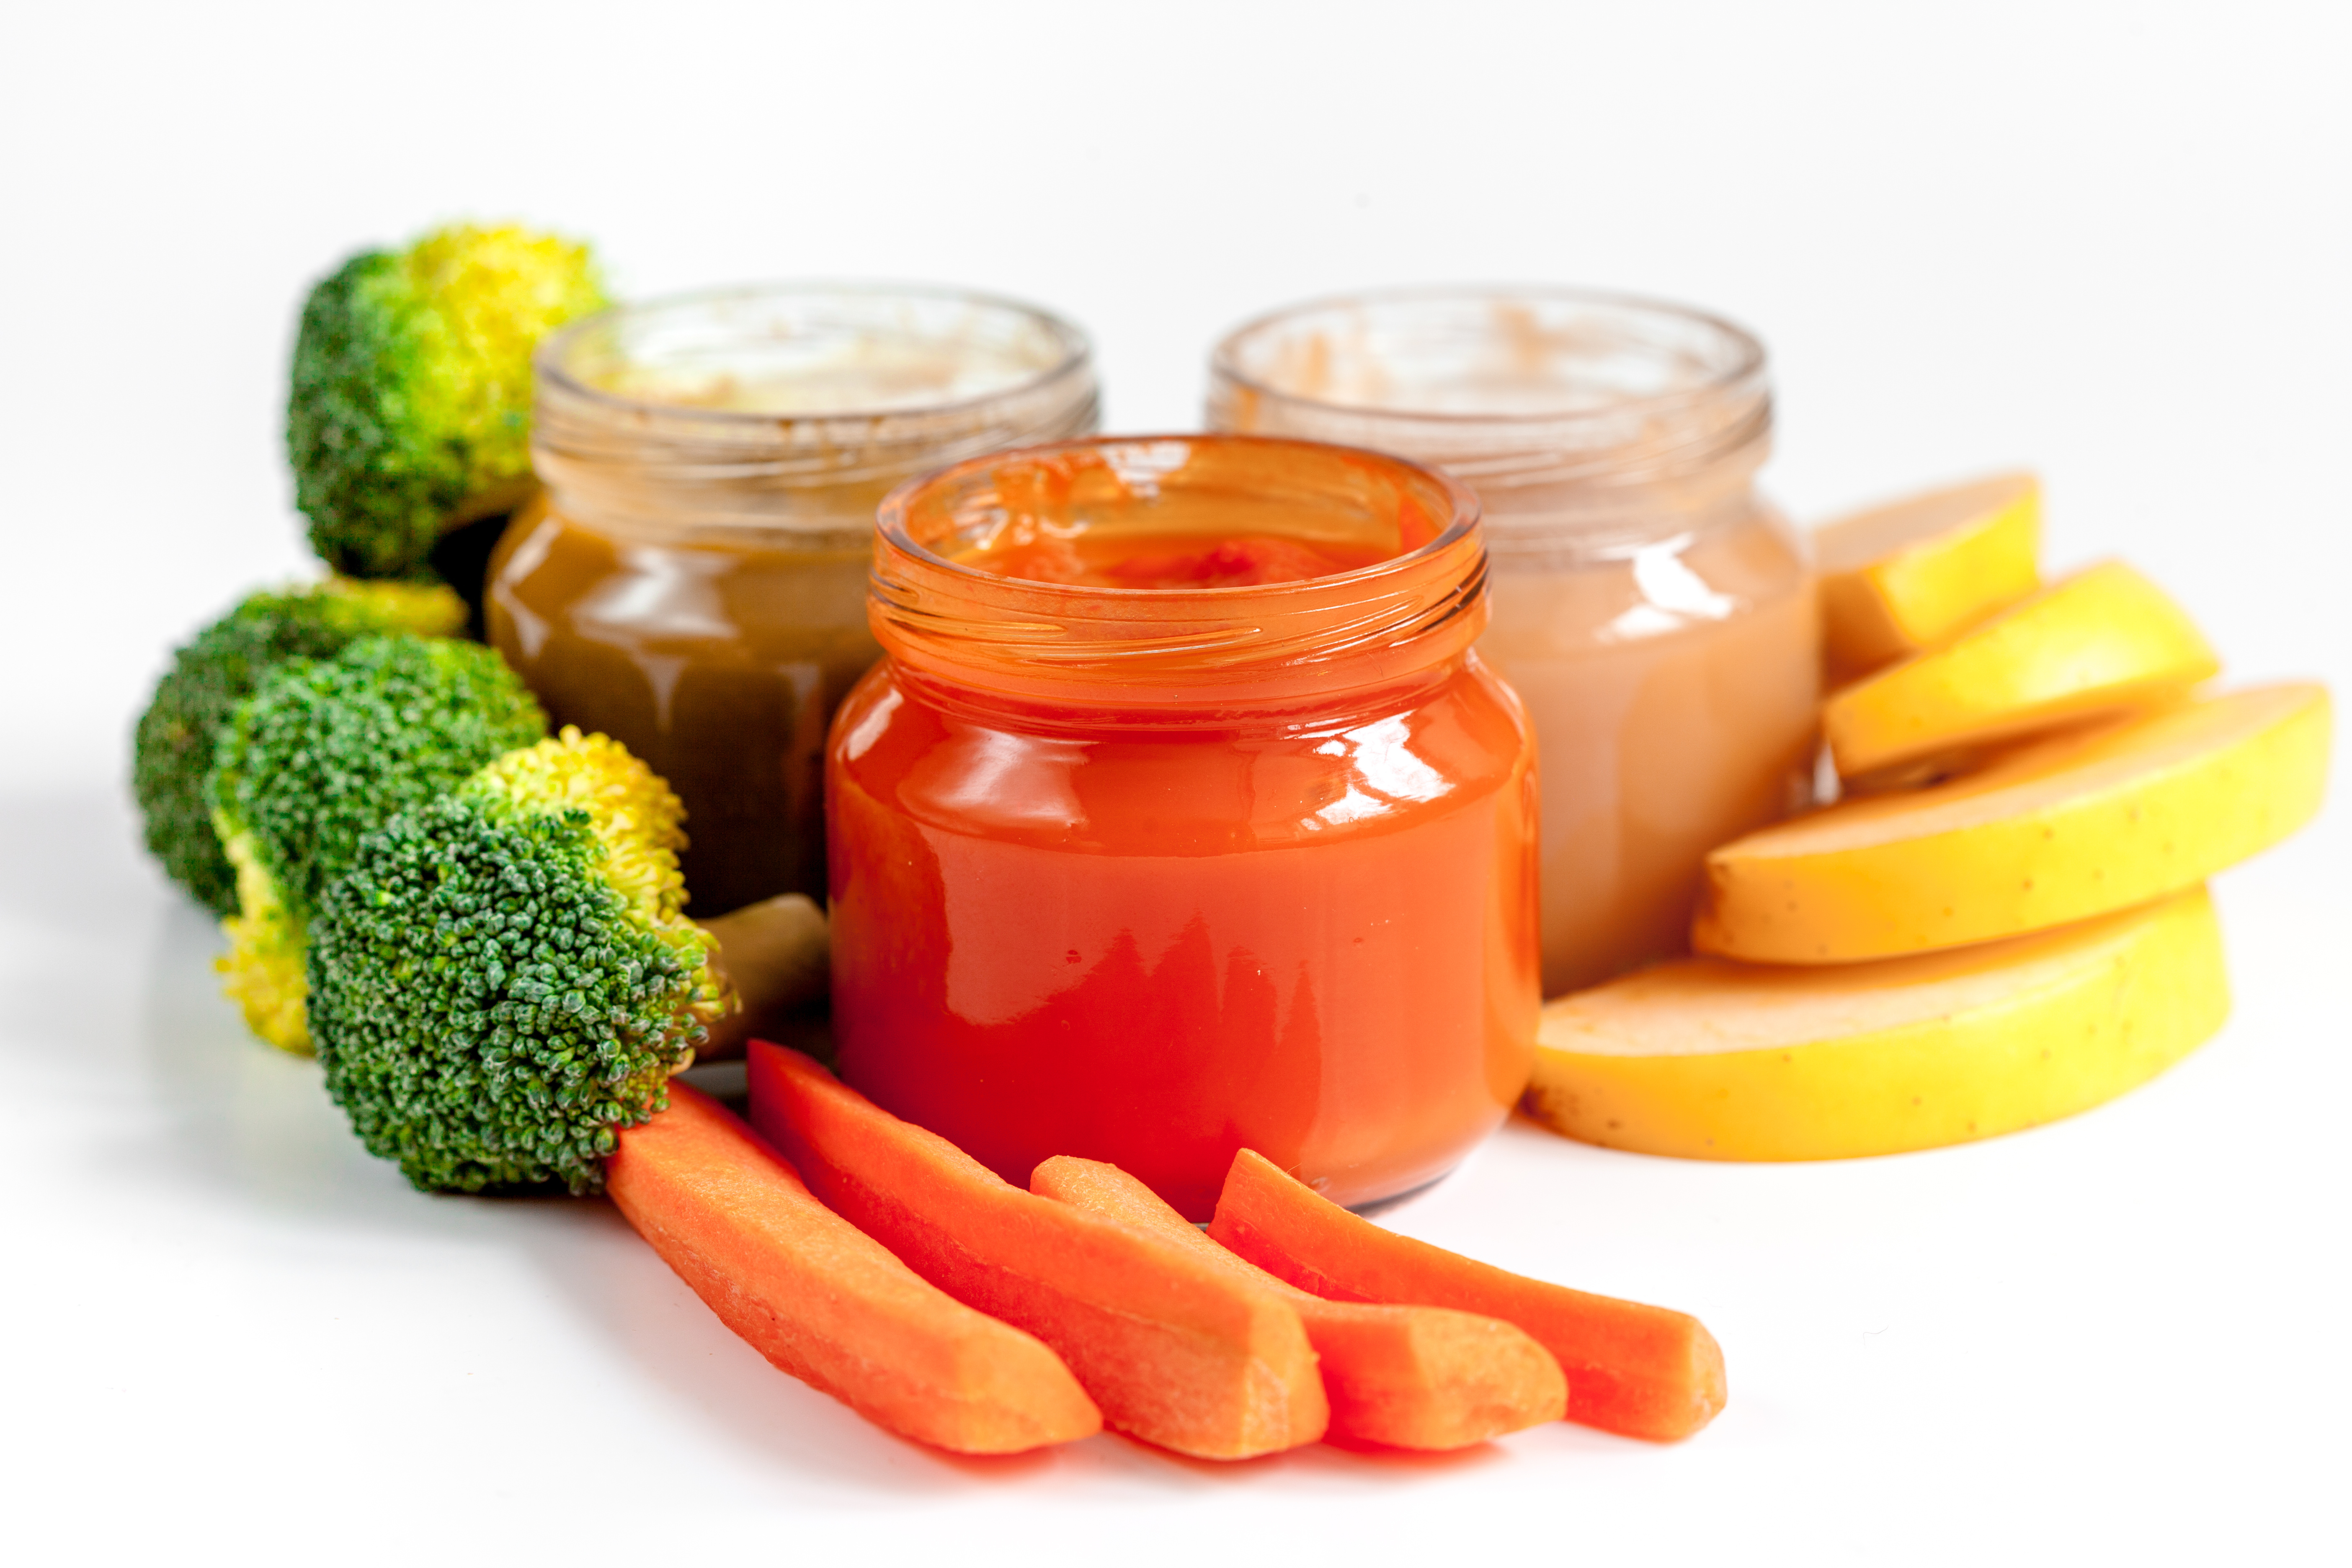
x=173, y=746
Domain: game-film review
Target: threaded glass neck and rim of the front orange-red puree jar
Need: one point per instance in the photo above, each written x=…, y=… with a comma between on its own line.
x=1180, y=648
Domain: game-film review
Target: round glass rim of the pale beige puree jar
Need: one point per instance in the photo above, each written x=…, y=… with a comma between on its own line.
x=1746, y=361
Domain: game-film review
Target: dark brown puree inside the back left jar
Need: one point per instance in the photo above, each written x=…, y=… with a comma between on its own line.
x=716, y=664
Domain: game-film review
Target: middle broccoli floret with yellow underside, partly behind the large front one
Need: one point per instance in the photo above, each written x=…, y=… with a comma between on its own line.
x=326, y=751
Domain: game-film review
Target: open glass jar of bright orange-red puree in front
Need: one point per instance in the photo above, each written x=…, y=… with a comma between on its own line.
x=1182, y=819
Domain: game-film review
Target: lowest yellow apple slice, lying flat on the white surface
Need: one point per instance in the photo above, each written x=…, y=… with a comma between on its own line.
x=1742, y=1061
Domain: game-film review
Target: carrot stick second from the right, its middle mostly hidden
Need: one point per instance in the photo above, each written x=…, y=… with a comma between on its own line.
x=1403, y=1376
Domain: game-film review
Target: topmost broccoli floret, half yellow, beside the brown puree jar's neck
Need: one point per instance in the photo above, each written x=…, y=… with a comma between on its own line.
x=413, y=387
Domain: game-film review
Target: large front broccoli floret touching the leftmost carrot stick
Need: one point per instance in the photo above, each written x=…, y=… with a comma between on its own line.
x=507, y=979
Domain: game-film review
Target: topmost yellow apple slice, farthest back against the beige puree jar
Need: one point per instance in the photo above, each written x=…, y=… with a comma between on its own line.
x=1911, y=575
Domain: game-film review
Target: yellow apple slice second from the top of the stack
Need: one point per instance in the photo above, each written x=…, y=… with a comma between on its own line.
x=2104, y=638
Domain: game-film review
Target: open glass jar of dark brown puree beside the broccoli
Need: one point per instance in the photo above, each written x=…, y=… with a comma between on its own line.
x=693, y=577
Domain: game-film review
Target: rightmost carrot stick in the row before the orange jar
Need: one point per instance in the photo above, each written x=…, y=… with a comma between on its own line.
x=1633, y=1369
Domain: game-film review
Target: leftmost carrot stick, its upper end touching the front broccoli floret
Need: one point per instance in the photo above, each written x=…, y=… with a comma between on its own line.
x=827, y=1304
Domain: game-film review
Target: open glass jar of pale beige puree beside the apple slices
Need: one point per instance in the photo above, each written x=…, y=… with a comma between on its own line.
x=1652, y=612
